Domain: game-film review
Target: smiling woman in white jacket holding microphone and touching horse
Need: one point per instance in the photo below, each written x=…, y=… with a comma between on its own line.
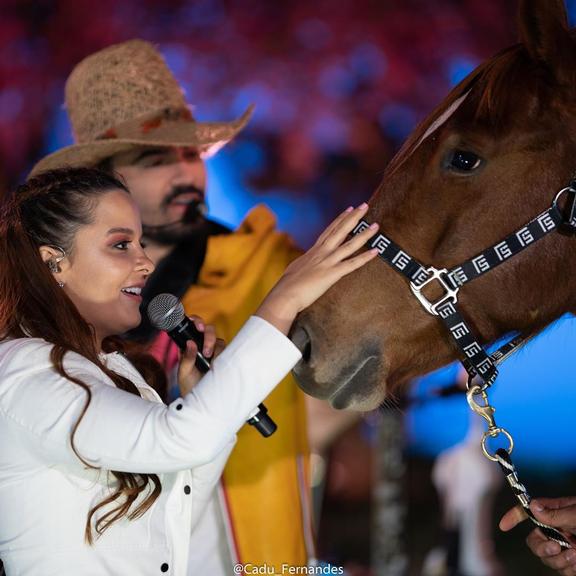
x=97, y=475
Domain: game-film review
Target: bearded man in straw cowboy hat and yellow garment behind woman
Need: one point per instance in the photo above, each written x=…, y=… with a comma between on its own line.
x=129, y=114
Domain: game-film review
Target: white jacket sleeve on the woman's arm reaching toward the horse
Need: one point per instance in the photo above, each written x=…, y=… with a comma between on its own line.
x=123, y=432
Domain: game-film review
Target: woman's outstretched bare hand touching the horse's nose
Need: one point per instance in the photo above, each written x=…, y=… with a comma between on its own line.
x=309, y=276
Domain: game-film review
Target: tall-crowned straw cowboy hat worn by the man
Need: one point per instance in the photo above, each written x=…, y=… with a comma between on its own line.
x=125, y=95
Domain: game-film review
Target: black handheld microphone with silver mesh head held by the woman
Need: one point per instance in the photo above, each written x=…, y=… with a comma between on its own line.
x=166, y=313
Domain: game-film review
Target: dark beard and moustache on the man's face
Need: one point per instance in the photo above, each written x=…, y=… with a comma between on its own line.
x=192, y=224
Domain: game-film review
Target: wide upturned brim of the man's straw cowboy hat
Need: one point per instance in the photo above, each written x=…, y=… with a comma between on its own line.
x=207, y=137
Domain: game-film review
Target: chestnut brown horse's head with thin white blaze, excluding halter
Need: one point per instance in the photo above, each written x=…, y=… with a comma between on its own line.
x=487, y=160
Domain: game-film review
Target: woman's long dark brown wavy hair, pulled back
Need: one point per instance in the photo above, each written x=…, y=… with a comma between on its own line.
x=49, y=210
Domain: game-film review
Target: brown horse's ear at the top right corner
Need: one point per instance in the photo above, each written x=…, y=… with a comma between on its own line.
x=545, y=33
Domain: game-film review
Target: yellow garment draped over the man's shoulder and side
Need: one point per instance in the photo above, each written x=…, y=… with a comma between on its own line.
x=266, y=480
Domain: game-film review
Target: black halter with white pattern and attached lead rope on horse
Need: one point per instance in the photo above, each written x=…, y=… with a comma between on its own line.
x=478, y=363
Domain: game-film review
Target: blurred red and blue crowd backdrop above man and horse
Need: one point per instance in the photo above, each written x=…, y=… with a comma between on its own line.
x=338, y=84
